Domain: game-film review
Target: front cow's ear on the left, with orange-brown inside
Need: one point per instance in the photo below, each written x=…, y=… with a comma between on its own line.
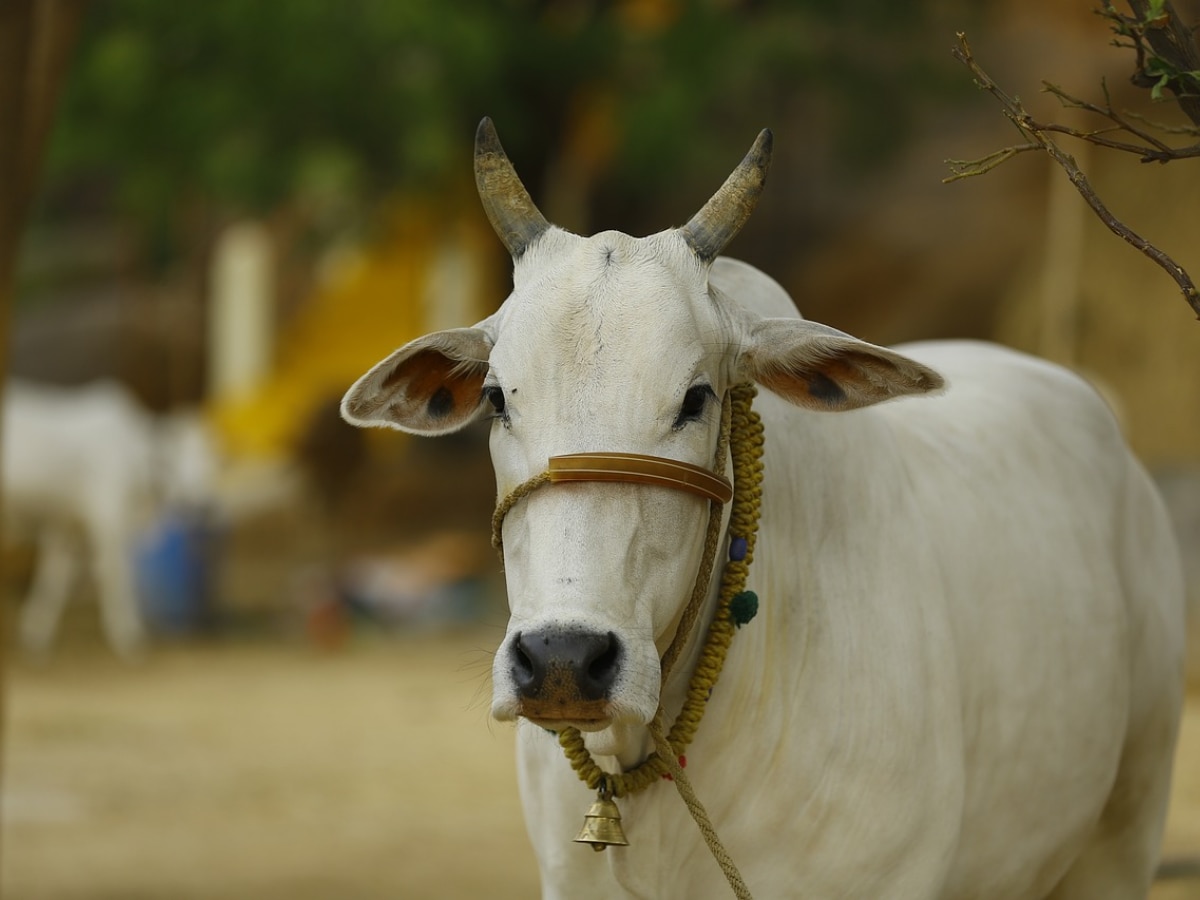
x=433, y=386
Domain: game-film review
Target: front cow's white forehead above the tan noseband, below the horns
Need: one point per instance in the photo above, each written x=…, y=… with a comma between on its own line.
x=599, y=344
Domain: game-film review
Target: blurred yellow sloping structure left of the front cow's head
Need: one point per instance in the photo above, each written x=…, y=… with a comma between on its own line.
x=430, y=273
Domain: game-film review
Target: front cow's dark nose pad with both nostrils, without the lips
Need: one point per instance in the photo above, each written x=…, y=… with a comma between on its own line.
x=566, y=663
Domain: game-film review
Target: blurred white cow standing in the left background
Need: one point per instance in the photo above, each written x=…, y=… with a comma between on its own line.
x=86, y=472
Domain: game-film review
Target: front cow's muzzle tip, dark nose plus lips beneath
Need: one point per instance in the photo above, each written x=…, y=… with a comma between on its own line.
x=565, y=676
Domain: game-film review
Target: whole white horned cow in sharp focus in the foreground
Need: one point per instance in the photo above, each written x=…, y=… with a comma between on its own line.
x=965, y=679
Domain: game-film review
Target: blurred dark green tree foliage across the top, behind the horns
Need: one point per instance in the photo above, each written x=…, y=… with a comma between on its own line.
x=235, y=107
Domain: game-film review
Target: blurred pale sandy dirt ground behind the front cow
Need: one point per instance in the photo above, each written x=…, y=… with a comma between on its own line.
x=271, y=770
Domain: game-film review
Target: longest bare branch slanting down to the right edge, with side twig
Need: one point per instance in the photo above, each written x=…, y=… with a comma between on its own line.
x=1040, y=136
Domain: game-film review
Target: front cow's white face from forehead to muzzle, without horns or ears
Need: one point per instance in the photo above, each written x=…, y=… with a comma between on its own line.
x=608, y=344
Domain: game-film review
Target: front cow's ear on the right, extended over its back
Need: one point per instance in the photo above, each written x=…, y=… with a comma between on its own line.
x=820, y=368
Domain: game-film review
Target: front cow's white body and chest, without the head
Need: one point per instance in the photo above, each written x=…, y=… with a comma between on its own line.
x=969, y=625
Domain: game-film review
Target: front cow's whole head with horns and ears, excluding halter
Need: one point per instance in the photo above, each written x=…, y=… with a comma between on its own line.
x=609, y=344
